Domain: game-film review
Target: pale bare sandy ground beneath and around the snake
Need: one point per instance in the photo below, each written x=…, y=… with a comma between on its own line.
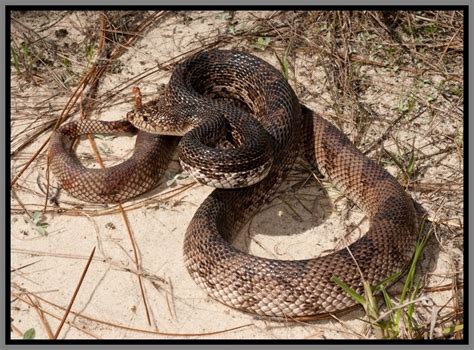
x=305, y=220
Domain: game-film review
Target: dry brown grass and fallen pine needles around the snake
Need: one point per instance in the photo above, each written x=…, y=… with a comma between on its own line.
x=392, y=81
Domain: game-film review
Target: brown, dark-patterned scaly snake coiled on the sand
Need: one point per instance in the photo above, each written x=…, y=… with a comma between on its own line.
x=224, y=89
